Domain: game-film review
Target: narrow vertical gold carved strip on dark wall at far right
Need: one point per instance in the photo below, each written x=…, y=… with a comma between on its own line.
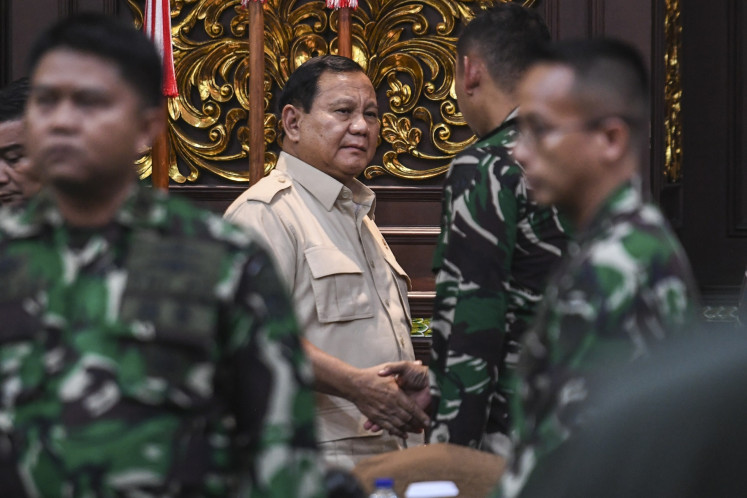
x=673, y=93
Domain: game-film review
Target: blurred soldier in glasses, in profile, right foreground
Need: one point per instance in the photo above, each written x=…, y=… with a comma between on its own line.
x=625, y=284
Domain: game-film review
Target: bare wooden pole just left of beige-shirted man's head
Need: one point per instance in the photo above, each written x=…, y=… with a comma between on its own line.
x=256, y=89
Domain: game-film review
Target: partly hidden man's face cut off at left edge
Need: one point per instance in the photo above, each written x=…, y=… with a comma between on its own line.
x=12, y=159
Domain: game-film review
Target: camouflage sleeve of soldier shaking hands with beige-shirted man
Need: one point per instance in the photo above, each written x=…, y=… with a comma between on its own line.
x=469, y=312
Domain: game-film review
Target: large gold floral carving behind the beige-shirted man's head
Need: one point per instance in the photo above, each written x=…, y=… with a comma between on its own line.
x=407, y=48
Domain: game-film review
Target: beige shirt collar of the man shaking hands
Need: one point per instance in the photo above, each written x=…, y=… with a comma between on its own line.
x=322, y=186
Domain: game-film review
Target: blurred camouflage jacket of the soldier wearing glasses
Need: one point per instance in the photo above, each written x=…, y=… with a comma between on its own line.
x=624, y=286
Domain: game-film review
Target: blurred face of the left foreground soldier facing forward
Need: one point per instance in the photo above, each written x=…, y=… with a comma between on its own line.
x=85, y=124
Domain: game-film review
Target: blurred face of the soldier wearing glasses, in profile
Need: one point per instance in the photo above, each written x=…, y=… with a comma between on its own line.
x=557, y=146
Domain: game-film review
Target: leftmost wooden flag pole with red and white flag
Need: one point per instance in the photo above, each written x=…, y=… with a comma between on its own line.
x=157, y=25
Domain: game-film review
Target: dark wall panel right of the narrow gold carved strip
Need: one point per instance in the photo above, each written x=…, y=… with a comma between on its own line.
x=713, y=121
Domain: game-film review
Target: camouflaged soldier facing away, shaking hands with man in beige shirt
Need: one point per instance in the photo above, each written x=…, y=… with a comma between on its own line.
x=496, y=246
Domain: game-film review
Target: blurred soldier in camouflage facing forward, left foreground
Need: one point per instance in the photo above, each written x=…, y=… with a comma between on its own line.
x=147, y=347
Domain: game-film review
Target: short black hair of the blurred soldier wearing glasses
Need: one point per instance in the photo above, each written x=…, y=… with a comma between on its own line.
x=610, y=78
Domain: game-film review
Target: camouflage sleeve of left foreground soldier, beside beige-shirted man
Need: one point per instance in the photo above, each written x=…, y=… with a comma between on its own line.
x=274, y=402
